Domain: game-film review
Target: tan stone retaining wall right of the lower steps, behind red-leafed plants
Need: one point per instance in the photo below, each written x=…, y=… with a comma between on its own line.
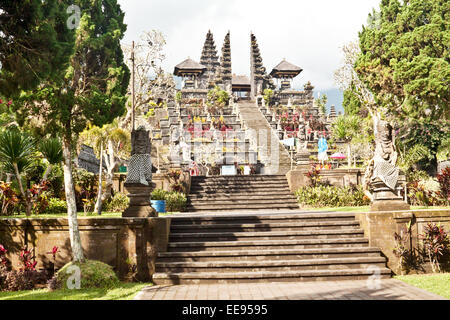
x=379, y=228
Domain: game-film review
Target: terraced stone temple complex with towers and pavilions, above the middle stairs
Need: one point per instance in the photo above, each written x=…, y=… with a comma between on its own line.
x=245, y=130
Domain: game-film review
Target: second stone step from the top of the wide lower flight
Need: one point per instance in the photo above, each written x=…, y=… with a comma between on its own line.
x=288, y=226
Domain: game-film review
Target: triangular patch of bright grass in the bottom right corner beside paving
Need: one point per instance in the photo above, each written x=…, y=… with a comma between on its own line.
x=435, y=283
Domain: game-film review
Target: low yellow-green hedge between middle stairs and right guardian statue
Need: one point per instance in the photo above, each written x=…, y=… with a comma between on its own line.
x=331, y=196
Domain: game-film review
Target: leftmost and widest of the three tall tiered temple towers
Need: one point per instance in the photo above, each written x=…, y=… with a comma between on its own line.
x=210, y=60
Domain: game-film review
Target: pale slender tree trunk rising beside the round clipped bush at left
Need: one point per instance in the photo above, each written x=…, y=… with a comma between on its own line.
x=74, y=232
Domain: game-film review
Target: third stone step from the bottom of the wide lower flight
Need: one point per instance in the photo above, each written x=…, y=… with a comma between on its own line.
x=269, y=254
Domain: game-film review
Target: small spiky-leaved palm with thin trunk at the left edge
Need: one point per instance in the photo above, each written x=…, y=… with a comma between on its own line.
x=17, y=151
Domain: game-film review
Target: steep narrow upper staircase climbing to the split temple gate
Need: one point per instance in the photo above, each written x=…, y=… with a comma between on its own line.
x=254, y=120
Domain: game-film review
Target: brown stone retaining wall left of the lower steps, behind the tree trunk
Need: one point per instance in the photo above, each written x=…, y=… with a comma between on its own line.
x=115, y=241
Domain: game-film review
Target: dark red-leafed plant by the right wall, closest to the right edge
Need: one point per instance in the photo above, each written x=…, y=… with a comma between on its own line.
x=436, y=244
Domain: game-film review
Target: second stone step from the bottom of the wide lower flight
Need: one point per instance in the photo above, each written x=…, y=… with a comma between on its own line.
x=272, y=265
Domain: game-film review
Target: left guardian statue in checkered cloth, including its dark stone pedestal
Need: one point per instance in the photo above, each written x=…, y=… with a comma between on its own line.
x=139, y=179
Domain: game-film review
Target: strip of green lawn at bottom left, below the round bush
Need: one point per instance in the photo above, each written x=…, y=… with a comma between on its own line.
x=125, y=291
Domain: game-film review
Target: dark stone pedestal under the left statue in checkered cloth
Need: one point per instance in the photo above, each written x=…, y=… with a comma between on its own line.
x=140, y=205
